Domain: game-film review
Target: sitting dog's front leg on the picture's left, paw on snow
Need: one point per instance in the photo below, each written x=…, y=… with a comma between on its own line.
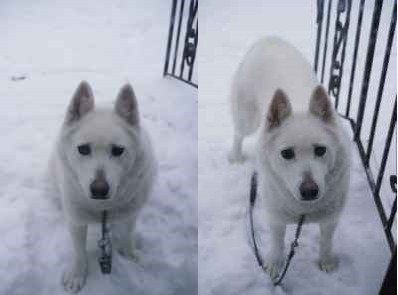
x=74, y=277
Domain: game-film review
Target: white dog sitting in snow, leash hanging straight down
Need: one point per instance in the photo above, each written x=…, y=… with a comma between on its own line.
x=103, y=161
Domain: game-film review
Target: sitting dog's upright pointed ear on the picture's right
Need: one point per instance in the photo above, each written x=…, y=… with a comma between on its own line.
x=126, y=105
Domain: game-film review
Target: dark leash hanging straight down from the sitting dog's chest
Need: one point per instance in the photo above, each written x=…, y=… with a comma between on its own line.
x=105, y=245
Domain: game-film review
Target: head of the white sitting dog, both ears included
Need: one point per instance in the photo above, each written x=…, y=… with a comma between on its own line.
x=101, y=145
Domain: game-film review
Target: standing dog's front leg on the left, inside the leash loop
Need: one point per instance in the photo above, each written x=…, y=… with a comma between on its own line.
x=275, y=257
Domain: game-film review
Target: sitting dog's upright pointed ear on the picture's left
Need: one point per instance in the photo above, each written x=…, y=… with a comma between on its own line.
x=82, y=102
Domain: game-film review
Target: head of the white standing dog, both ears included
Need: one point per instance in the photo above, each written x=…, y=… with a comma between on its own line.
x=301, y=149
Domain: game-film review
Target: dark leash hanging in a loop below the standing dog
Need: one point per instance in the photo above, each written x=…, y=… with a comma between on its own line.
x=293, y=245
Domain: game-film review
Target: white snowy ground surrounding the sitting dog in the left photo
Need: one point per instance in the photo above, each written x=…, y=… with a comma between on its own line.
x=56, y=44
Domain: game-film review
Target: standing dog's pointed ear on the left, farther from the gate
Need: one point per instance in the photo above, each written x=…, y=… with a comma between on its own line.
x=279, y=109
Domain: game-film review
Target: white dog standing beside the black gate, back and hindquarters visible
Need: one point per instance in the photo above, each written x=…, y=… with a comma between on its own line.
x=303, y=154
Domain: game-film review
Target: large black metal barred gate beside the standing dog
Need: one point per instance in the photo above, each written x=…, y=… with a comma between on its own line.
x=368, y=52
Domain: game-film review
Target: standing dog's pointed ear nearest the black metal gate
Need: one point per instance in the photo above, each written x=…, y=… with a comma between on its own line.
x=320, y=105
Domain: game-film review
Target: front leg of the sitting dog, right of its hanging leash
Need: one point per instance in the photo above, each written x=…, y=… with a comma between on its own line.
x=126, y=246
